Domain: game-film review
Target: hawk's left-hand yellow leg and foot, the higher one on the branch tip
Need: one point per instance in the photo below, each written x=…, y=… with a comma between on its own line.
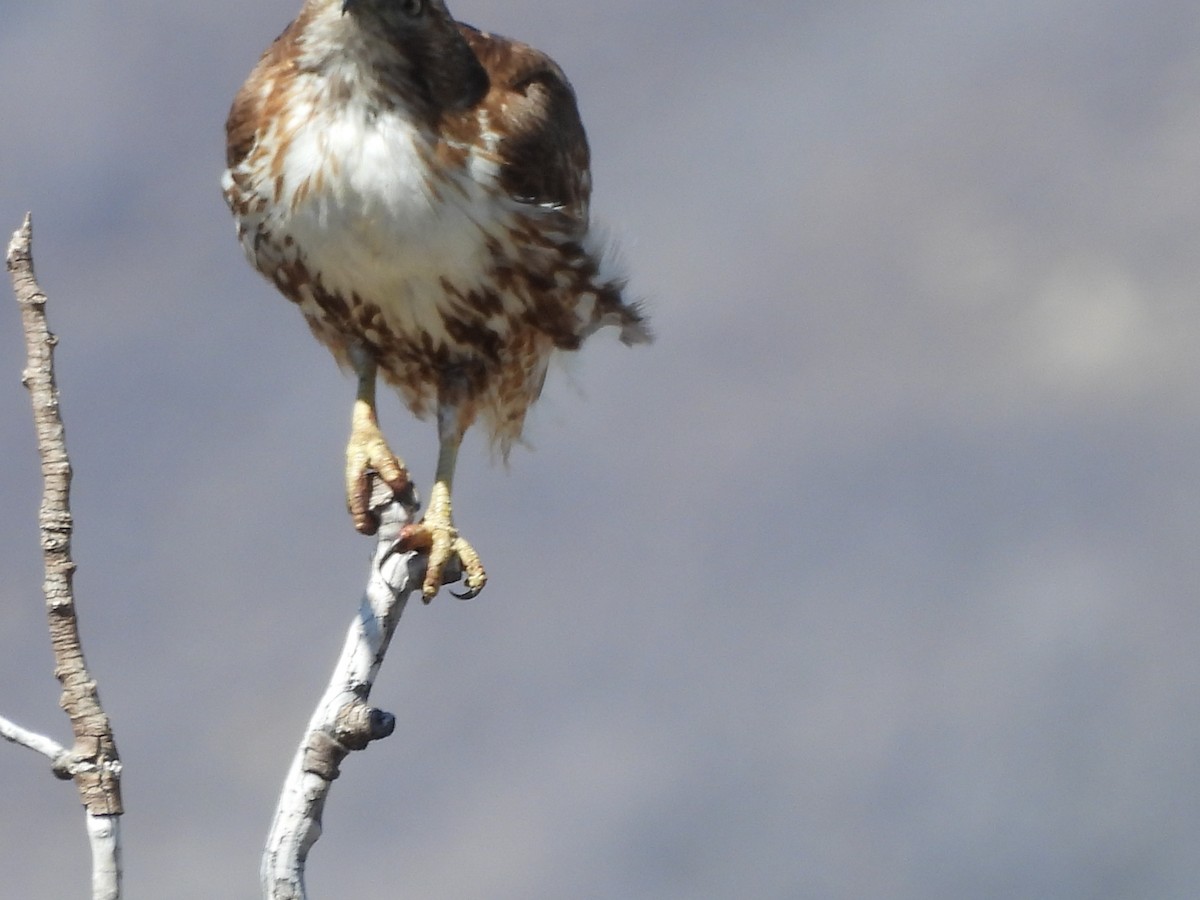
x=368, y=451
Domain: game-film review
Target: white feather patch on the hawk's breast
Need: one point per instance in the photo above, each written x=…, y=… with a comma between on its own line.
x=376, y=227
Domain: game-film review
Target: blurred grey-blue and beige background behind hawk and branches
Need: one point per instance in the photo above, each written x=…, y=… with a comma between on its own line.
x=874, y=578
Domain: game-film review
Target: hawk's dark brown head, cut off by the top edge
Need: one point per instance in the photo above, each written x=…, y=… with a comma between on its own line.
x=439, y=58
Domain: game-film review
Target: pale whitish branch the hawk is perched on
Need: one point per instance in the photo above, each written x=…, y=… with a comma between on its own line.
x=344, y=722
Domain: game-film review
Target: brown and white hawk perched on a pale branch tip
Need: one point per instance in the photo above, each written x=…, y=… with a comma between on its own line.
x=419, y=190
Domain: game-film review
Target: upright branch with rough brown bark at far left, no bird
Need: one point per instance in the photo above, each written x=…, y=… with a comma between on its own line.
x=93, y=761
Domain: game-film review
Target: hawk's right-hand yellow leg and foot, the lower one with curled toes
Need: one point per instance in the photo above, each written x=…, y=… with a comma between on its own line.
x=436, y=532
